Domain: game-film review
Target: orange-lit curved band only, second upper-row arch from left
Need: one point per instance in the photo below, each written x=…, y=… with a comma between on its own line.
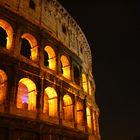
x=33, y=43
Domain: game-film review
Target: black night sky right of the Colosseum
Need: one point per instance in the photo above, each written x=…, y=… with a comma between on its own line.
x=113, y=32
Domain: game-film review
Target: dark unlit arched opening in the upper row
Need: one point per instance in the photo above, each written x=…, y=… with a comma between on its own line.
x=76, y=75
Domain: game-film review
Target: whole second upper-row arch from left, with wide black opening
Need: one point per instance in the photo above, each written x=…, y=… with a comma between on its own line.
x=29, y=47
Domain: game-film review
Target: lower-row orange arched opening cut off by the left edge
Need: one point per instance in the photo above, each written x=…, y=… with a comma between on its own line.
x=3, y=86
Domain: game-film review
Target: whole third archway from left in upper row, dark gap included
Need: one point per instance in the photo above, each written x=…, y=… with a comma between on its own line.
x=50, y=58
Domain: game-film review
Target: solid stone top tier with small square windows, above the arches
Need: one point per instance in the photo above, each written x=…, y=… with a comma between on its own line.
x=50, y=15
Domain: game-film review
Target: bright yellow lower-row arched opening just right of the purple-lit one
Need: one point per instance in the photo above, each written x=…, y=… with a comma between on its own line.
x=50, y=102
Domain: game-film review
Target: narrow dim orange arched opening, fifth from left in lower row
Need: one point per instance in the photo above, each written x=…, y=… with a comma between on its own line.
x=80, y=113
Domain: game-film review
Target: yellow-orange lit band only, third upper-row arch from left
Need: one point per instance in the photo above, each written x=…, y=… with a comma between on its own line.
x=52, y=57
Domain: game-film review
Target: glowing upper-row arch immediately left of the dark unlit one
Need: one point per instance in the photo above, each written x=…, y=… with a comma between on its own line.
x=65, y=66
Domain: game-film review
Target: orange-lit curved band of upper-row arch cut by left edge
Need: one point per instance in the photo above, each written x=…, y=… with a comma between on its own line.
x=7, y=27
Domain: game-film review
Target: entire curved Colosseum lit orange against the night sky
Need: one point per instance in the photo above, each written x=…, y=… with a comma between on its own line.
x=47, y=91
